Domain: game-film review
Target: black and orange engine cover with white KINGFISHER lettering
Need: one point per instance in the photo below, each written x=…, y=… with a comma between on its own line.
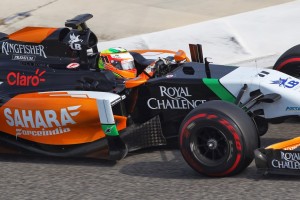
x=50, y=47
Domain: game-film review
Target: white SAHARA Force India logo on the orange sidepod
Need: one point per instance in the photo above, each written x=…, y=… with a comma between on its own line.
x=47, y=122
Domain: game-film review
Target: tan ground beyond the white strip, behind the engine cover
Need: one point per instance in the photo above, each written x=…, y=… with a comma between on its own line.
x=114, y=19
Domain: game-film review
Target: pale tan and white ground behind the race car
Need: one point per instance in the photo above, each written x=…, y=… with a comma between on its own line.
x=235, y=32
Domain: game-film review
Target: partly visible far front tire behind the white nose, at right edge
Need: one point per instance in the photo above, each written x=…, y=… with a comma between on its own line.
x=289, y=62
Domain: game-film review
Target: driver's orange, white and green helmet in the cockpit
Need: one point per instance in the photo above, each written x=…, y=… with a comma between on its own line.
x=119, y=61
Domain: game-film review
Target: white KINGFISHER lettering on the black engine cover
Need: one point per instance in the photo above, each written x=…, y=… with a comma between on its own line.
x=9, y=48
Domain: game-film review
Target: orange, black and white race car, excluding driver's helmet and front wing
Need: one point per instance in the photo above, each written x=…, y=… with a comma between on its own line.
x=56, y=101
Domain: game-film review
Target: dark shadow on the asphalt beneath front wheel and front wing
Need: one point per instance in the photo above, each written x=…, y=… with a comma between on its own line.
x=178, y=169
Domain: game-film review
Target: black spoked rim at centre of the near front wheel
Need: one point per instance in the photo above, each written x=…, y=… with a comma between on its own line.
x=210, y=146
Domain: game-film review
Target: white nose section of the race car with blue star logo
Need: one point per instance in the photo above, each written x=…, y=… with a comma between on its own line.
x=268, y=82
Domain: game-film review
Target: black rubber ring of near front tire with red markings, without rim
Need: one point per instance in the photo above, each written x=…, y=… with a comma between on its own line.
x=238, y=129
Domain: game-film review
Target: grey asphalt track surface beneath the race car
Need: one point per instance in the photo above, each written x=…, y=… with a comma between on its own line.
x=159, y=173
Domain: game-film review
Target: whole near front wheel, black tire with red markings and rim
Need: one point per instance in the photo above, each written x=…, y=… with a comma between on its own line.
x=218, y=139
